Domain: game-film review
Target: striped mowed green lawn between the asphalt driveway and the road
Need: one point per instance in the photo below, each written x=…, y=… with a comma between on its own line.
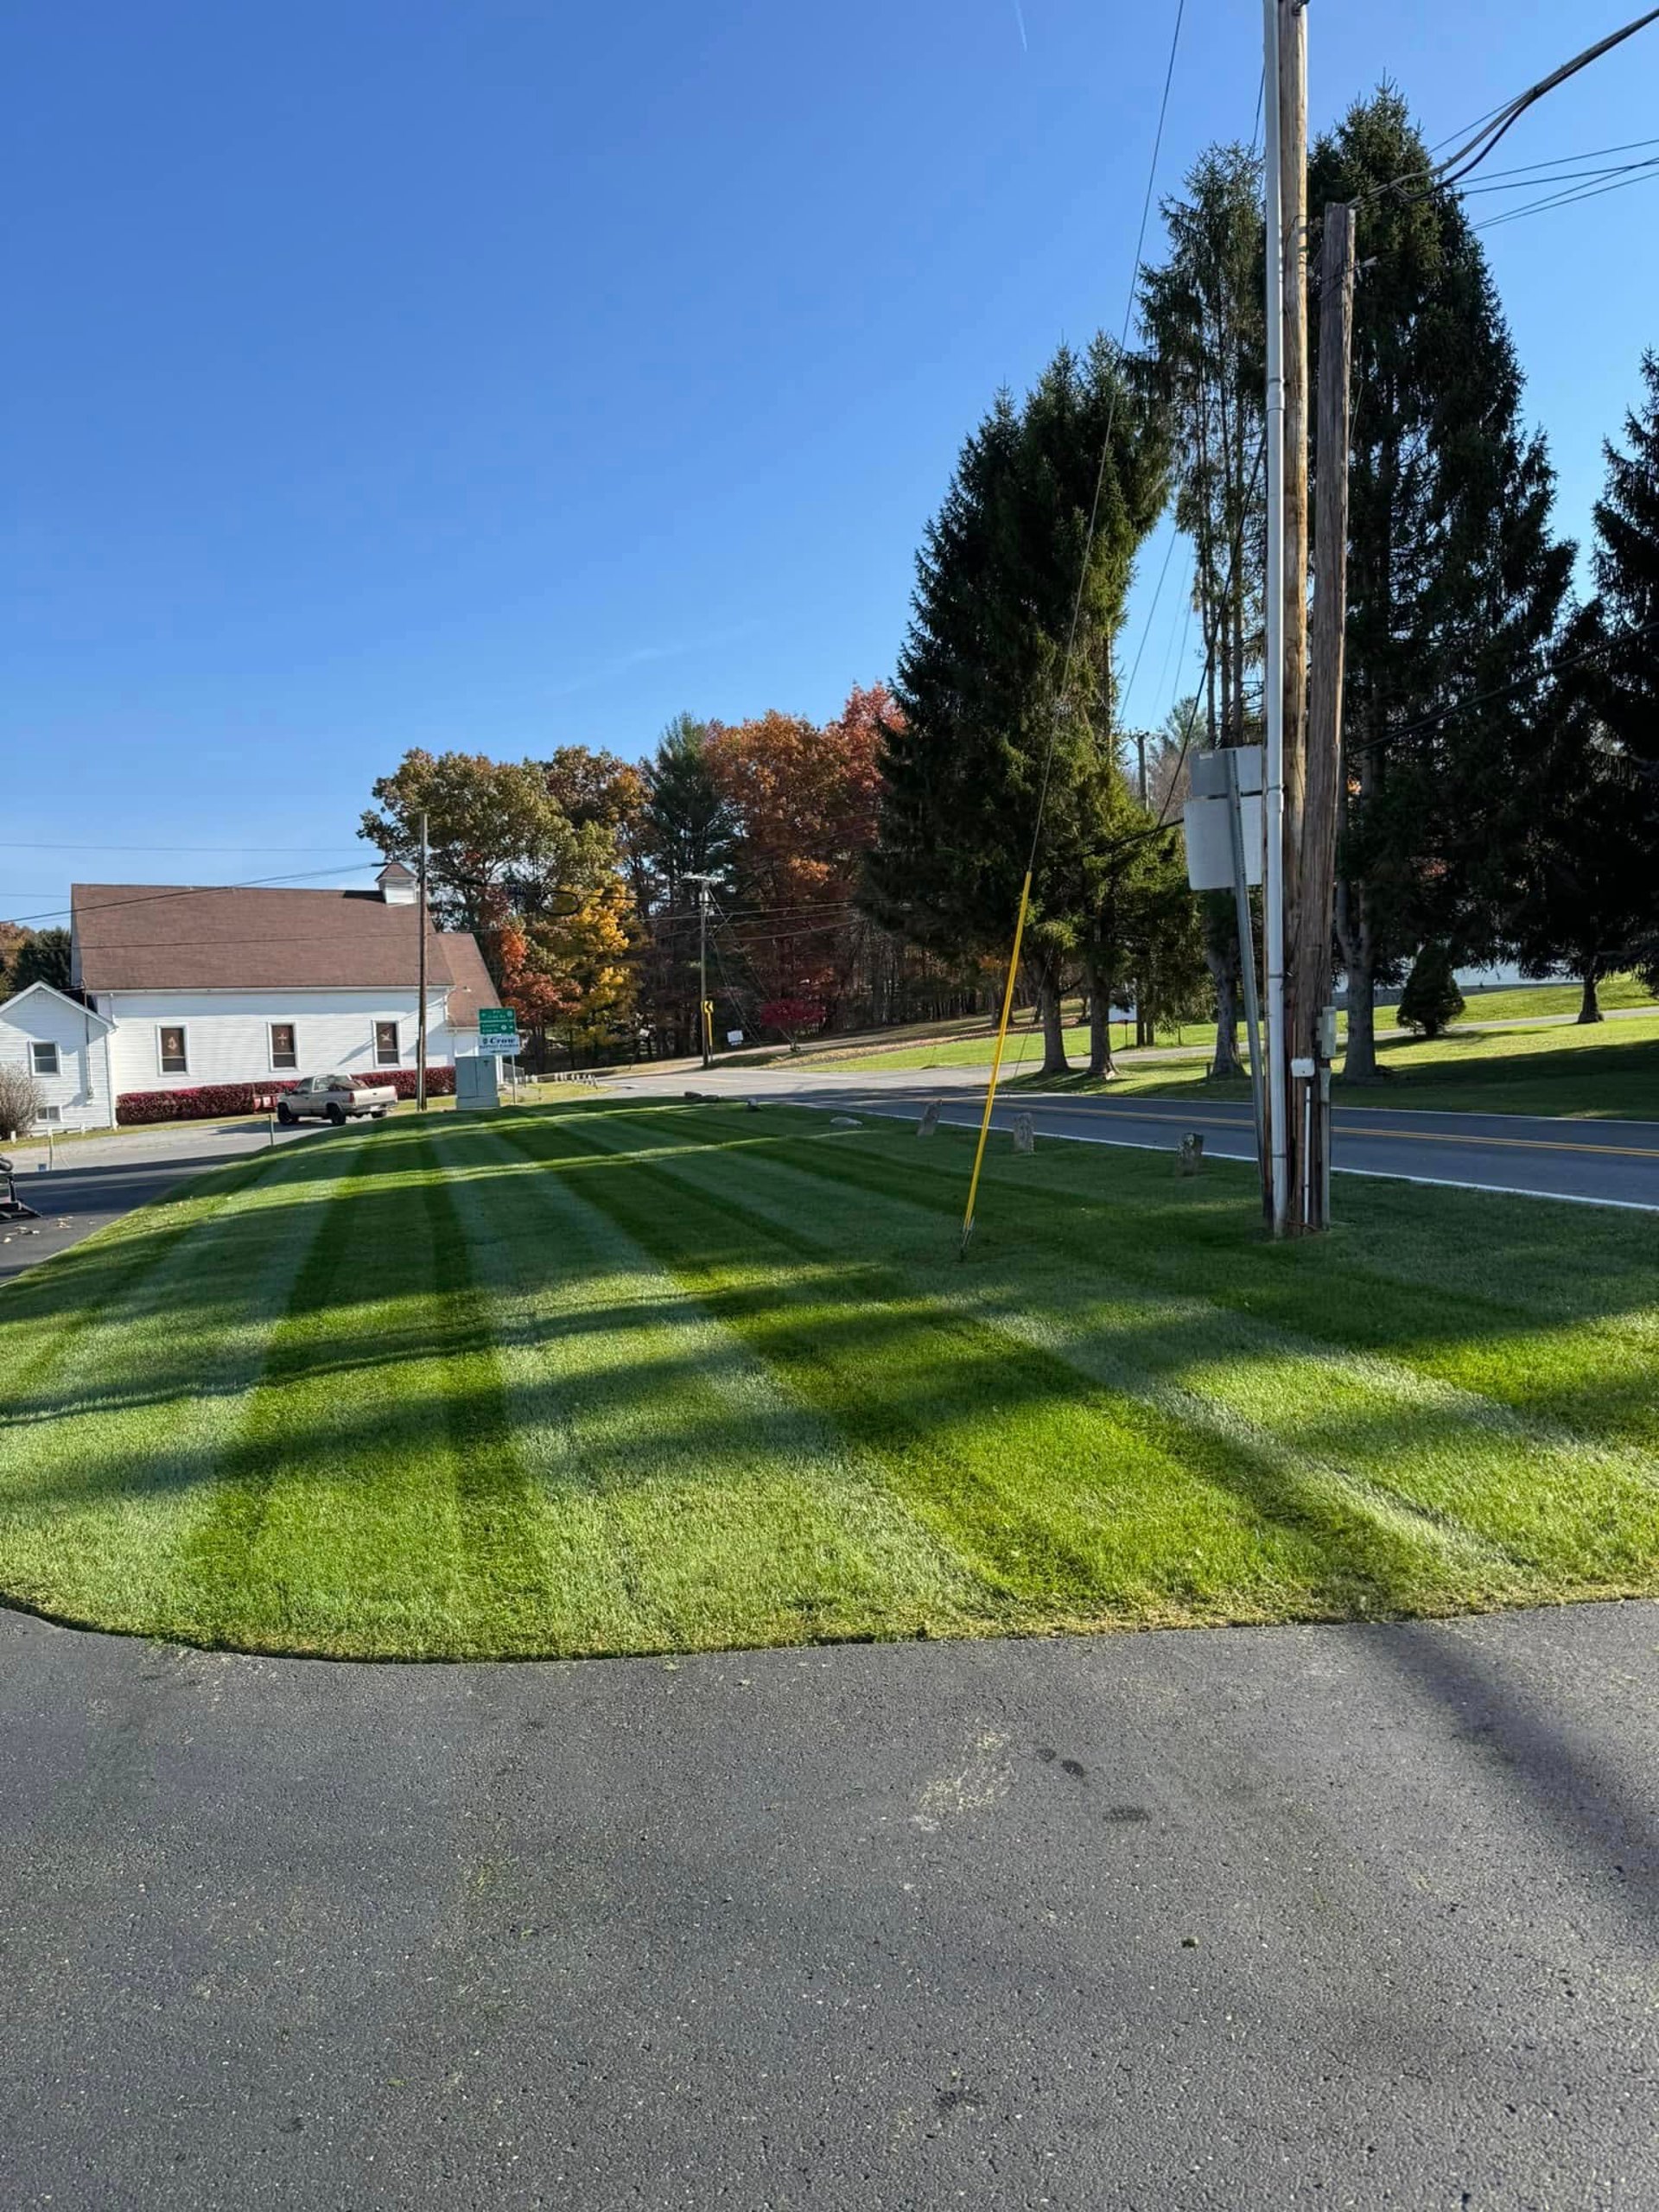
x=658, y=1377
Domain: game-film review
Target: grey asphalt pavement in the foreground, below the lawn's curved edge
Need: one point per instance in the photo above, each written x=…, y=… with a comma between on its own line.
x=1160, y=1923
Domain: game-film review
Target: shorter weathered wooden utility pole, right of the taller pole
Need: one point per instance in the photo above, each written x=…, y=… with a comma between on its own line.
x=1311, y=952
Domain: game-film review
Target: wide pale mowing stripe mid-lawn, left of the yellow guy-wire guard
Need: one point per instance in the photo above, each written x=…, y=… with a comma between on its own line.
x=645, y=1419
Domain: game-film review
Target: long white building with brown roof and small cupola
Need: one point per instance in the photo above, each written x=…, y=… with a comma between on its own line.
x=182, y=985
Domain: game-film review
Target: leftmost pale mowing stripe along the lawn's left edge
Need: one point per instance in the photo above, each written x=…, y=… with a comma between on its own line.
x=109, y=1474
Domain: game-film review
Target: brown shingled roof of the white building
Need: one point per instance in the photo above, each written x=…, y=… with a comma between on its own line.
x=167, y=937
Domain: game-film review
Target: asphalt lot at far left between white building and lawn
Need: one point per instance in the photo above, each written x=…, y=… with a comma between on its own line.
x=103, y=1178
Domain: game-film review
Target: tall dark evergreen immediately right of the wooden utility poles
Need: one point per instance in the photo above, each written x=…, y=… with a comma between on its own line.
x=1454, y=578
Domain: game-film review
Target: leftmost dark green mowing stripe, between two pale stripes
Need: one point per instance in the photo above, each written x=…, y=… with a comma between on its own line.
x=373, y=1503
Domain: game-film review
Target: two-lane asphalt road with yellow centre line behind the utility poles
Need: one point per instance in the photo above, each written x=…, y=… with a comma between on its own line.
x=1605, y=1162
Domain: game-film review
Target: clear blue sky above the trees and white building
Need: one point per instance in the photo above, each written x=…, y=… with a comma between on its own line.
x=510, y=373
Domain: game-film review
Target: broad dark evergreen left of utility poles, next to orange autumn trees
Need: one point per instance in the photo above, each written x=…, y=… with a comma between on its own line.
x=979, y=685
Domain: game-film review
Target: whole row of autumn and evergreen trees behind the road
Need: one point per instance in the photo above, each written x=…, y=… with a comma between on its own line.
x=1501, y=773
